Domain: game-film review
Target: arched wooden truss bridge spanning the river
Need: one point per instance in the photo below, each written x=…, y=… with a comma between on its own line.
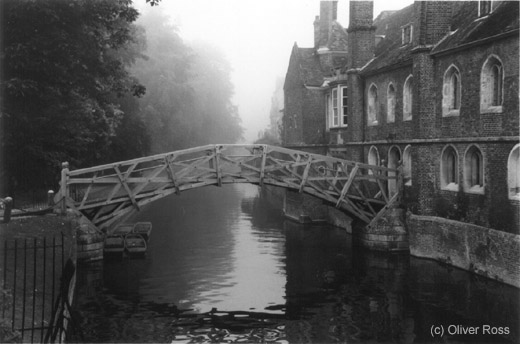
x=105, y=193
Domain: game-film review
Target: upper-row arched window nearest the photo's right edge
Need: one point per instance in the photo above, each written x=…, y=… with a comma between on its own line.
x=491, y=85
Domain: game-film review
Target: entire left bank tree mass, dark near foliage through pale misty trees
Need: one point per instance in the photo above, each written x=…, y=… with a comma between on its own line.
x=74, y=83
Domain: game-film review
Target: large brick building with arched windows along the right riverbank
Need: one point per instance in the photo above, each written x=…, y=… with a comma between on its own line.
x=433, y=86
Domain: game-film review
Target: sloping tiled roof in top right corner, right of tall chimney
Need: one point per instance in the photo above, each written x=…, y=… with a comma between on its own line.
x=469, y=28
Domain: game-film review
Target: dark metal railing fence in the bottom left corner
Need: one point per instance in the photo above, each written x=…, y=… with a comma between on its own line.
x=34, y=281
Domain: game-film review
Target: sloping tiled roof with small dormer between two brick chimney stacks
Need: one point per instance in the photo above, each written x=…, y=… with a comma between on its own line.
x=390, y=51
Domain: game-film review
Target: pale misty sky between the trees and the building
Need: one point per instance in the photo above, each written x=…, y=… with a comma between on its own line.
x=257, y=38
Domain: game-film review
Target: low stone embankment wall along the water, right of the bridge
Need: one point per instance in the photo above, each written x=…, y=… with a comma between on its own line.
x=487, y=252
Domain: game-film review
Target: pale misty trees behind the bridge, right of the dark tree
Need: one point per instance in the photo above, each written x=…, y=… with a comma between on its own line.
x=188, y=100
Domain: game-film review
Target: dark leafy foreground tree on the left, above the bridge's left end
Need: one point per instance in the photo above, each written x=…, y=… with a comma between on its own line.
x=64, y=66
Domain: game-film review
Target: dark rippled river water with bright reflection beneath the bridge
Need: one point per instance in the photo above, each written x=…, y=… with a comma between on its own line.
x=223, y=265
